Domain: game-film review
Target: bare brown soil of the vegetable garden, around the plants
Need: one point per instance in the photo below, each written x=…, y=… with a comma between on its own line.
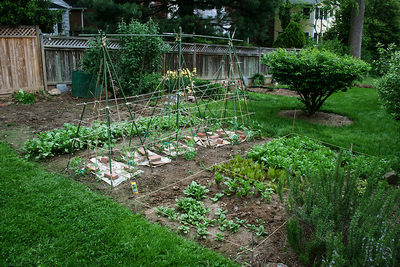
x=160, y=186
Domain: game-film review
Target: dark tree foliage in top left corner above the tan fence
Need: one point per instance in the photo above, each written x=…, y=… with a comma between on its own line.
x=28, y=12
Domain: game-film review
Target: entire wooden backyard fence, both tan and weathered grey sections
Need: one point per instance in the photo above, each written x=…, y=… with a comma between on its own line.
x=30, y=61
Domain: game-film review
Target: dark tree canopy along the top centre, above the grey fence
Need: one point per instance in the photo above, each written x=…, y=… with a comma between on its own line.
x=247, y=18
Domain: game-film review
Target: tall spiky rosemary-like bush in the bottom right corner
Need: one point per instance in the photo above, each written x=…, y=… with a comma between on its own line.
x=334, y=223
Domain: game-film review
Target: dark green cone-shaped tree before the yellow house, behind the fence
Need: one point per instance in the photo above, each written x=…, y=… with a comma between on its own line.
x=292, y=37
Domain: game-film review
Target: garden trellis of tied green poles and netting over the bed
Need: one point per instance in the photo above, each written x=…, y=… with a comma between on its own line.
x=179, y=110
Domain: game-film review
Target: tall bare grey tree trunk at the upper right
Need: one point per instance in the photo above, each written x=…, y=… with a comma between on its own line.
x=356, y=26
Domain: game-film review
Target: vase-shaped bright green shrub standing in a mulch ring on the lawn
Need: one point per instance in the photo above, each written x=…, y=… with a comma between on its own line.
x=314, y=74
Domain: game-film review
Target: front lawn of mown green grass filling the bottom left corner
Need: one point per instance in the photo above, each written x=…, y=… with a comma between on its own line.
x=47, y=220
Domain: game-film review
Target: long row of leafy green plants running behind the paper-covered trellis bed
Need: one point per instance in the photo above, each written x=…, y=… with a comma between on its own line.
x=59, y=141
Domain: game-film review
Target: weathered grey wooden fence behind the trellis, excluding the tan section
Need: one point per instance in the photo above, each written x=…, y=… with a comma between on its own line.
x=62, y=56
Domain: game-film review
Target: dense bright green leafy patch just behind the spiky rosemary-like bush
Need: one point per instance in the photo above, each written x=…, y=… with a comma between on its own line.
x=299, y=155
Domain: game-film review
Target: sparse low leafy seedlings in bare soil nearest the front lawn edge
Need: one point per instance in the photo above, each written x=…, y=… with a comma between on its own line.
x=191, y=212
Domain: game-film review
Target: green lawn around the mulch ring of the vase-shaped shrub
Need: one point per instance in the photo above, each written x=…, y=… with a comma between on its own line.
x=372, y=126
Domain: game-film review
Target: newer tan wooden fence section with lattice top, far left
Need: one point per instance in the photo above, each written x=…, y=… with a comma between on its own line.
x=20, y=60
